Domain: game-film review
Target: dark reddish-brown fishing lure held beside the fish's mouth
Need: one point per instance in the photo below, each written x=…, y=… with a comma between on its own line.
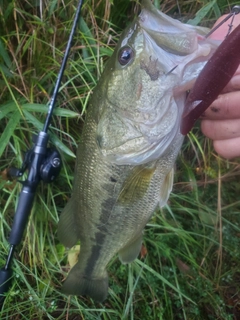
x=215, y=75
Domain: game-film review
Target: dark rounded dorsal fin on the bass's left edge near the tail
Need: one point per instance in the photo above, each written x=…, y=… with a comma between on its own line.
x=67, y=226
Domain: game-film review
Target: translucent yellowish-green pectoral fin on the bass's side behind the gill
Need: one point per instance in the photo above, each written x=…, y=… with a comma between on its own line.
x=136, y=185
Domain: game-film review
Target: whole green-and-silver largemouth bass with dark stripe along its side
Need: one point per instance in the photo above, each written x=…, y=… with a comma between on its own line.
x=129, y=145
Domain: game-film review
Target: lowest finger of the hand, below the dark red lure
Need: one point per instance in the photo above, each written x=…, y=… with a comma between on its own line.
x=229, y=148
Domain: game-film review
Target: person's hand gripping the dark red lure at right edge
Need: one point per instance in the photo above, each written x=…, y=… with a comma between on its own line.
x=221, y=121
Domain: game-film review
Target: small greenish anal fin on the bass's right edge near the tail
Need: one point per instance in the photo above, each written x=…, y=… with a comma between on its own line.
x=131, y=250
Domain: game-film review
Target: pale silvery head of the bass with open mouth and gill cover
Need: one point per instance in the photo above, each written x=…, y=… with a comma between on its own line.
x=141, y=115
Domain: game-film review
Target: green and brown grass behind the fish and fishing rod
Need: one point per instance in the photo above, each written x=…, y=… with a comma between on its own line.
x=190, y=266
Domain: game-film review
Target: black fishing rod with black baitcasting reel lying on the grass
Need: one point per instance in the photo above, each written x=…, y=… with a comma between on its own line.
x=43, y=164
